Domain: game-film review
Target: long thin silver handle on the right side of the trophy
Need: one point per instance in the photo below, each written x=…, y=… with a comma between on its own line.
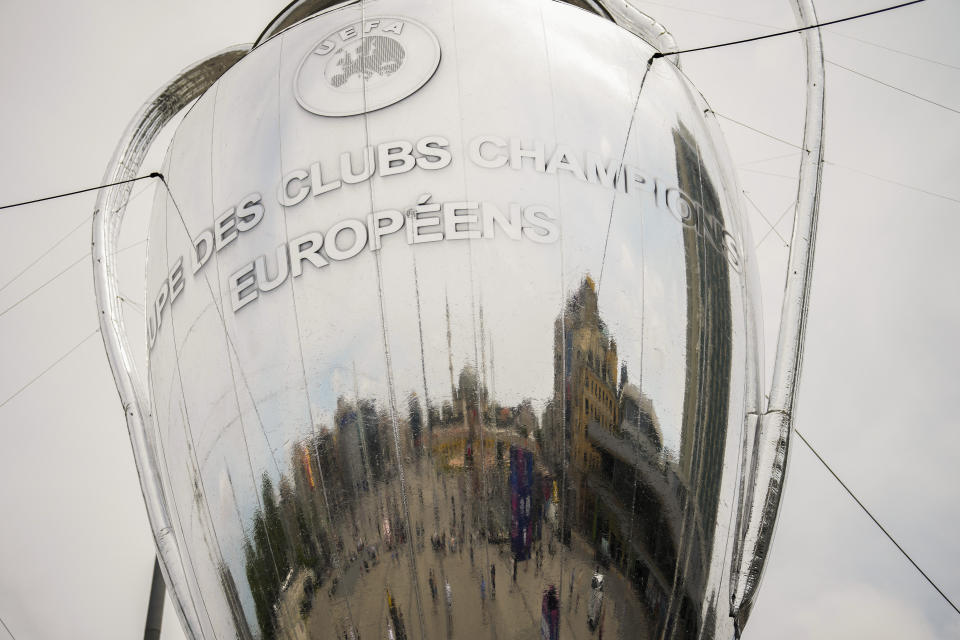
x=767, y=438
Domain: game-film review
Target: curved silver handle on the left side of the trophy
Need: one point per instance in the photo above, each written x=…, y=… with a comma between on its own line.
x=111, y=205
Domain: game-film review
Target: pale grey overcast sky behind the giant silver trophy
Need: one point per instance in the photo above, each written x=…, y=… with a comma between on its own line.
x=880, y=378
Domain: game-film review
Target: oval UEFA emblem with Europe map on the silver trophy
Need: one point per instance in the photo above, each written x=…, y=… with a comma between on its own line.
x=365, y=66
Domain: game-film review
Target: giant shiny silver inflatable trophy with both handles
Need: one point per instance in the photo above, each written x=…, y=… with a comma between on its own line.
x=453, y=328
